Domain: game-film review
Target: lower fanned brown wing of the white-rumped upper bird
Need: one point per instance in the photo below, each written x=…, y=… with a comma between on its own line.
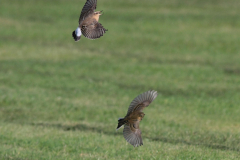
x=93, y=31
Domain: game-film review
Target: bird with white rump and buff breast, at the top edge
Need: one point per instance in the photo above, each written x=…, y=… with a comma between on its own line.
x=88, y=22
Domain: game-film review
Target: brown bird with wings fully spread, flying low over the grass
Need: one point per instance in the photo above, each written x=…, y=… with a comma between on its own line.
x=131, y=131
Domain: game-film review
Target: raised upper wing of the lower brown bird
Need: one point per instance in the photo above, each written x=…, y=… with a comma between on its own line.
x=142, y=101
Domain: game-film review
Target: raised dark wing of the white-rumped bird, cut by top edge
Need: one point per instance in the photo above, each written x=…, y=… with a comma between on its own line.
x=88, y=9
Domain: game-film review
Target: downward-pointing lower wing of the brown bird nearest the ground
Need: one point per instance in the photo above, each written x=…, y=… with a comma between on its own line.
x=132, y=134
